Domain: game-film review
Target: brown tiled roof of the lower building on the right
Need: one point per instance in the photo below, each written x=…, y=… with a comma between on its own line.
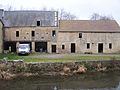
x=89, y=25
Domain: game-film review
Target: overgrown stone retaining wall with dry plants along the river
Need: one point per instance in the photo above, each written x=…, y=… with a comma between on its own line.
x=12, y=69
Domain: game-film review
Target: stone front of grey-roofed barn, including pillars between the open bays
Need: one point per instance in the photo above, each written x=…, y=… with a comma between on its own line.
x=32, y=35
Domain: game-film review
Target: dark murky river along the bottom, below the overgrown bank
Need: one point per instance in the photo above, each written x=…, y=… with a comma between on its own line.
x=90, y=81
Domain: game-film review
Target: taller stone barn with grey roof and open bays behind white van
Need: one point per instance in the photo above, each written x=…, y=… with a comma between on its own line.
x=38, y=28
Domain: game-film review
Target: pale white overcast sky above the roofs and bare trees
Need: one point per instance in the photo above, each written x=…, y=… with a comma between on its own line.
x=83, y=9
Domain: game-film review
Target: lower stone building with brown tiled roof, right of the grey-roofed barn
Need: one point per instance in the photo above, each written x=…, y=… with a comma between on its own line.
x=88, y=36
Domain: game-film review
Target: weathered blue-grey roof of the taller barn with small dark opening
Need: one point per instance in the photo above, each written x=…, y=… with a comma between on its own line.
x=28, y=18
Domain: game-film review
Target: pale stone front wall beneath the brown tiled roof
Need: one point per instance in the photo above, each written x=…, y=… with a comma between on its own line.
x=93, y=38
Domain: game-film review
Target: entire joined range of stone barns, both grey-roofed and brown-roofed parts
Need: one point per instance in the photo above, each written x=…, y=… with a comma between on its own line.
x=44, y=33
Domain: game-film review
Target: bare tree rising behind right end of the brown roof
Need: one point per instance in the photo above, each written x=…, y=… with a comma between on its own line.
x=96, y=16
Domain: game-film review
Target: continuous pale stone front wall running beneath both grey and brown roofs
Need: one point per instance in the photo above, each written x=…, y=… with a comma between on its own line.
x=44, y=34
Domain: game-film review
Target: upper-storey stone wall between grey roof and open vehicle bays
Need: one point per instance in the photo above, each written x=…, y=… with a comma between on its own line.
x=25, y=33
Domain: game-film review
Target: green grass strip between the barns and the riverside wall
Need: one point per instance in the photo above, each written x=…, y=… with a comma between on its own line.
x=65, y=58
